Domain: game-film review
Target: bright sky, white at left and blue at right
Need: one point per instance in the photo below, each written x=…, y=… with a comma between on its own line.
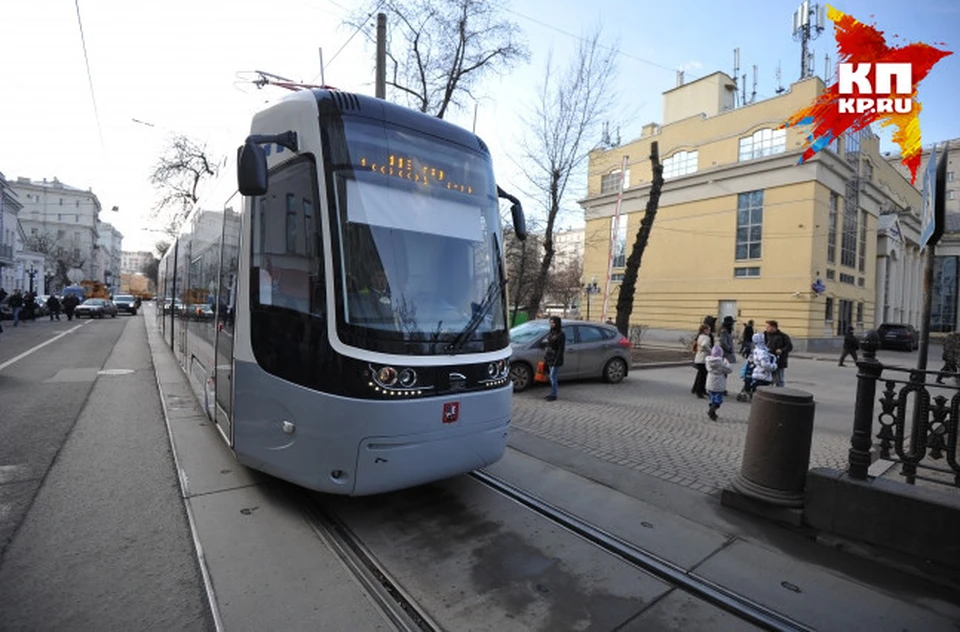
x=153, y=70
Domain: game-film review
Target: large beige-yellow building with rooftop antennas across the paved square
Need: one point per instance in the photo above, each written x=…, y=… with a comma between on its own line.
x=744, y=230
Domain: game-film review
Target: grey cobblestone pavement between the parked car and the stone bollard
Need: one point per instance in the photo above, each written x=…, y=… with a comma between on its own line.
x=654, y=425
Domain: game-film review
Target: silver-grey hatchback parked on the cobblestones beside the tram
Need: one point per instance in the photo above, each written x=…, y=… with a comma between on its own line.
x=593, y=350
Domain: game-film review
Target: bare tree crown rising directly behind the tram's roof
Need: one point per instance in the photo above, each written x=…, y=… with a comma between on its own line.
x=438, y=49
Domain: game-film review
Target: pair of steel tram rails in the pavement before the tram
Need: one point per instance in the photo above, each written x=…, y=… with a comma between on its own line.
x=401, y=608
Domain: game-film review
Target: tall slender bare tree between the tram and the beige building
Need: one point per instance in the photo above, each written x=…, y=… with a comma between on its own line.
x=563, y=127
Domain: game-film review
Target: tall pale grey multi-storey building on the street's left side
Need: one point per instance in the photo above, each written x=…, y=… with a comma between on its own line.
x=62, y=222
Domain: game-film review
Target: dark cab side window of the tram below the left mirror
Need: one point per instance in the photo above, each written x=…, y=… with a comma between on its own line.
x=287, y=256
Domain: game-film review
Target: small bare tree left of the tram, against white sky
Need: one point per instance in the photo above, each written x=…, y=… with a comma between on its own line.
x=177, y=176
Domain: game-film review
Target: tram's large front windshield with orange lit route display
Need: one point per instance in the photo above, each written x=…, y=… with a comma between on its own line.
x=417, y=229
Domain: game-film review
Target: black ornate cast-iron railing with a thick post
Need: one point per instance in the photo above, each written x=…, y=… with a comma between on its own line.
x=918, y=426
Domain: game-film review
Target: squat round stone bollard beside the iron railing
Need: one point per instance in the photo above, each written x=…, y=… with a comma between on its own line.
x=776, y=456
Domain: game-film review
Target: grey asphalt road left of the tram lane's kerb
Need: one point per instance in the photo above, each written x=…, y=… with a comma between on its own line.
x=93, y=533
